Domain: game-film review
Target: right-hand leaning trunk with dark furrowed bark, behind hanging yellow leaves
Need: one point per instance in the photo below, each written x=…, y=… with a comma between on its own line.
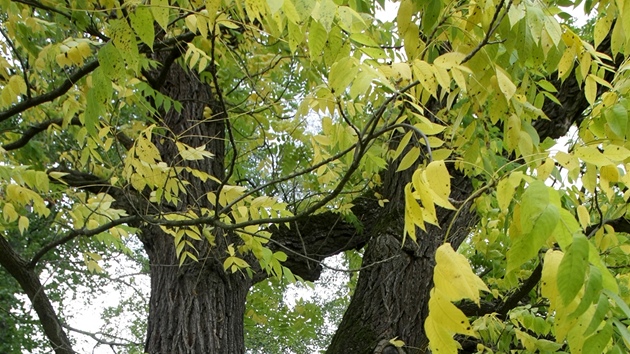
x=392, y=294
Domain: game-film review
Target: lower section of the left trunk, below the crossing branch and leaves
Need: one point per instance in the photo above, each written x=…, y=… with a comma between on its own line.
x=196, y=308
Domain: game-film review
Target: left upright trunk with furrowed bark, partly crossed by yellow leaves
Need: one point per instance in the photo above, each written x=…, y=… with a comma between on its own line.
x=197, y=307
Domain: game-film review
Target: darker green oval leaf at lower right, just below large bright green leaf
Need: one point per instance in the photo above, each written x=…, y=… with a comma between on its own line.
x=573, y=268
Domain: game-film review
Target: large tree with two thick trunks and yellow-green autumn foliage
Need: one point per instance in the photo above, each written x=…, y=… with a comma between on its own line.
x=247, y=139
